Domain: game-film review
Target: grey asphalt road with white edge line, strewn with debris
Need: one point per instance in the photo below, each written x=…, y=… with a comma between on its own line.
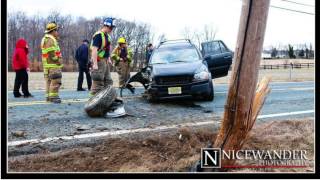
x=48, y=123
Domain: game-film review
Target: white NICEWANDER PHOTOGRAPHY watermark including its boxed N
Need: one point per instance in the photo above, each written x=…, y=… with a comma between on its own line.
x=211, y=158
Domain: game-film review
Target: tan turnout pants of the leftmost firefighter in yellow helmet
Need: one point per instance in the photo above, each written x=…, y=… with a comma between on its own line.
x=52, y=77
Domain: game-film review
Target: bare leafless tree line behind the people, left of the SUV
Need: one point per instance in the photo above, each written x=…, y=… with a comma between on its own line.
x=73, y=30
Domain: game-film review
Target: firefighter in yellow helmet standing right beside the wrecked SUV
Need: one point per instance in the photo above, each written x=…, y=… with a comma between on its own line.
x=122, y=57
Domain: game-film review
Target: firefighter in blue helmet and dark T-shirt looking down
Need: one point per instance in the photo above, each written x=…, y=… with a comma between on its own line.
x=100, y=57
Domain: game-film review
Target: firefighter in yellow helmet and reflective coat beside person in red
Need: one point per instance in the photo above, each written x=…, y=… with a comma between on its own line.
x=52, y=62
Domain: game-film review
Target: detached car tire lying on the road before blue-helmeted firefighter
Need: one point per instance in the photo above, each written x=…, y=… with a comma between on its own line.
x=99, y=104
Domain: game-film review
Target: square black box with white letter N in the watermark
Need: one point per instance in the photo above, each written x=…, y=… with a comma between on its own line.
x=210, y=158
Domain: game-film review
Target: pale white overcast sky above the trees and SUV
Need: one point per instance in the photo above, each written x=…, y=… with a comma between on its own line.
x=170, y=17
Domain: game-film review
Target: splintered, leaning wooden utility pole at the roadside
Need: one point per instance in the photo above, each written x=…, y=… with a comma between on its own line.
x=244, y=100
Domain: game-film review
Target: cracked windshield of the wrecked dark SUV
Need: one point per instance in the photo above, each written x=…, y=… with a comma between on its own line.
x=174, y=55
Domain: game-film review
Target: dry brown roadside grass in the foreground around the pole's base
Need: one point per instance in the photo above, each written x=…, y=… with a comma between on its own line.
x=165, y=152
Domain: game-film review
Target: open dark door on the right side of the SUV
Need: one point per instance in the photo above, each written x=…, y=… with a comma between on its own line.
x=218, y=58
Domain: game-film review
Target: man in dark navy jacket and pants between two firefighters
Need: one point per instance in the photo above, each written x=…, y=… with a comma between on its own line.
x=82, y=57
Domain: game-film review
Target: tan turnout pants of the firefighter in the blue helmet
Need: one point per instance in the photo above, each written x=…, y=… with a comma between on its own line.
x=101, y=77
